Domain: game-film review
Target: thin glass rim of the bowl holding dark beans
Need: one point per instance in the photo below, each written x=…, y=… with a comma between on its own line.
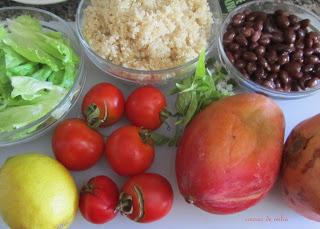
x=238, y=75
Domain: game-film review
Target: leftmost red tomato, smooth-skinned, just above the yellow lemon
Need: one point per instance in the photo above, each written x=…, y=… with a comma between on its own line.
x=77, y=146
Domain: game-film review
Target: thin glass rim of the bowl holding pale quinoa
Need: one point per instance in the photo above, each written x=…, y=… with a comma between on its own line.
x=87, y=47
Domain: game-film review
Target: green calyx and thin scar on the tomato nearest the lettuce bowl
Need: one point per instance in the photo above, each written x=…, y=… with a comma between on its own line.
x=92, y=114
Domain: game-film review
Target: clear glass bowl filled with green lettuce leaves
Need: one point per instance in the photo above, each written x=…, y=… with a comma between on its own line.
x=41, y=72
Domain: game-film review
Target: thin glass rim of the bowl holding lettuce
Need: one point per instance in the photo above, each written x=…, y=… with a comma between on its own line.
x=80, y=75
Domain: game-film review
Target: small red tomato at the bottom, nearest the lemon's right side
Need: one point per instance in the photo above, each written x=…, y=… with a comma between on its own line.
x=98, y=200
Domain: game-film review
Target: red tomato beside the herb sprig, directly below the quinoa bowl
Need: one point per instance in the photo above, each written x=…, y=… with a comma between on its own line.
x=144, y=107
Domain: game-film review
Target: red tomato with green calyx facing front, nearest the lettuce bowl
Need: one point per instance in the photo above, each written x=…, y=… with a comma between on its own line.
x=103, y=105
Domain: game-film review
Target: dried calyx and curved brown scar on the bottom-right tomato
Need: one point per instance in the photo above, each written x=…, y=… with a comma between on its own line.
x=125, y=204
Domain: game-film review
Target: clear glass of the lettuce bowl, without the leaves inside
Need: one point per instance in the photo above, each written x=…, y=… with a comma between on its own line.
x=35, y=129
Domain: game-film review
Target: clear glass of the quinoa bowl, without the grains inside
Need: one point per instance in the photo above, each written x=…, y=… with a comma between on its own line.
x=143, y=76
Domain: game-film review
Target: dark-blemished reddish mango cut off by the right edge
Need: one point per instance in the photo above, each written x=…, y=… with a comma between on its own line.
x=300, y=170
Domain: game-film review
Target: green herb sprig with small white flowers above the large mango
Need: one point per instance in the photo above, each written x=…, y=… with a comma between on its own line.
x=197, y=92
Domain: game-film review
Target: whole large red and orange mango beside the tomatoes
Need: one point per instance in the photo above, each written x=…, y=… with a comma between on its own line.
x=230, y=154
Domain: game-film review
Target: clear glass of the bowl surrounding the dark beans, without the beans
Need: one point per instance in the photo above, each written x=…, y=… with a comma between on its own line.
x=266, y=6
